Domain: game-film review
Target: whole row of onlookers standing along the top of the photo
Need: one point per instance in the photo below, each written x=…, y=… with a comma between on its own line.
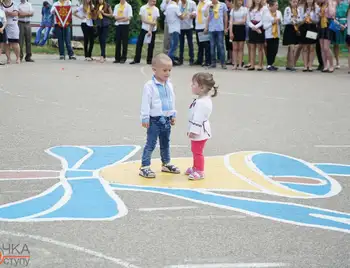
x=222, y=30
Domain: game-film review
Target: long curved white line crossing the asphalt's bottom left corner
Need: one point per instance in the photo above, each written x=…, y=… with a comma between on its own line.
x=96, y=254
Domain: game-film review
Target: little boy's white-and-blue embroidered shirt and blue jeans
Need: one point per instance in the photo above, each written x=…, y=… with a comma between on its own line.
x=157, y=109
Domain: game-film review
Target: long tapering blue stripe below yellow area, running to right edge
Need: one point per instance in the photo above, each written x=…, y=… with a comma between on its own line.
x=278, y=211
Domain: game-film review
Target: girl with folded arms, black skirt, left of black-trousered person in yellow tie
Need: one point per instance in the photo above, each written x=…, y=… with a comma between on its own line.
x=256, y=33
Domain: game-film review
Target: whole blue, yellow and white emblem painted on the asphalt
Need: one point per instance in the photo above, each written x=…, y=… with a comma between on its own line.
x=91, y=177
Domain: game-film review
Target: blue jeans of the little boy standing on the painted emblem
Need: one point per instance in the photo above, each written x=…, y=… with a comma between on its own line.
x=158, y=127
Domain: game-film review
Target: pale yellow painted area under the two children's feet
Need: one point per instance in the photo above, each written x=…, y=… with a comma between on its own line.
x=217, y=176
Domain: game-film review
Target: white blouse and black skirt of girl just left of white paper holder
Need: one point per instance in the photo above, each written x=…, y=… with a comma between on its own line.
x=290, y=35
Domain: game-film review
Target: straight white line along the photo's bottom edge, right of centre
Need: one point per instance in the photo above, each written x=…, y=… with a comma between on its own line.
x=230, y=265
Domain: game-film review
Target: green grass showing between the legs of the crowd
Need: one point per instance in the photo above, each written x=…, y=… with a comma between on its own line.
x=110, y=50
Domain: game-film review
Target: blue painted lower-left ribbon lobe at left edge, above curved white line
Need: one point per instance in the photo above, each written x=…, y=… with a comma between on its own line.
x=33, y=206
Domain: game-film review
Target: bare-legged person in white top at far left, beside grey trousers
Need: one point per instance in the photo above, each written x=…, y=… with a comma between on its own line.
x=12, y=29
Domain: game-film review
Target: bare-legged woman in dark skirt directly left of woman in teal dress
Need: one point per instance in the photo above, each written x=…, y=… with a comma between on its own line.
x=327, y=13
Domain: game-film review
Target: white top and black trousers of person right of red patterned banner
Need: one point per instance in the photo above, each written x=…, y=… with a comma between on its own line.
x=88, y=30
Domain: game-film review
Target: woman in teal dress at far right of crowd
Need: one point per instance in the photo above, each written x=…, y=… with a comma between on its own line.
x=340, y=36
